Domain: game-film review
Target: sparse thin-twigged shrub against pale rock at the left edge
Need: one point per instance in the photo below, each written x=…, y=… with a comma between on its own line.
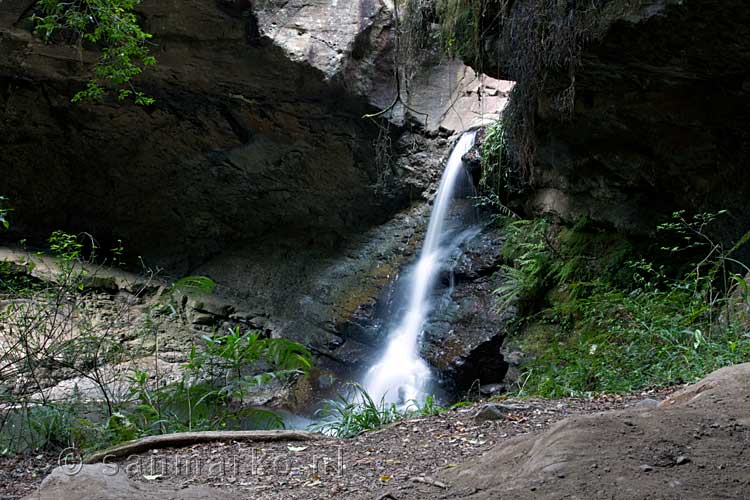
x=50, y=326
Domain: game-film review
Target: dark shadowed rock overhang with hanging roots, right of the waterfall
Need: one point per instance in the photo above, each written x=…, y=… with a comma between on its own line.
x=649, y=116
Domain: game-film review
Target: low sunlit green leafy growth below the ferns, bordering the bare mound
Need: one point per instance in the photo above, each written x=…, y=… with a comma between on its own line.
x=622, y=342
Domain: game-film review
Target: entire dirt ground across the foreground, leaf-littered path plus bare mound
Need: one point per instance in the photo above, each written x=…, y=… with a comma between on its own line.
x=690, y=443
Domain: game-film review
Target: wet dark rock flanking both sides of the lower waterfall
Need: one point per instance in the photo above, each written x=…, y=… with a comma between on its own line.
x=464, y=334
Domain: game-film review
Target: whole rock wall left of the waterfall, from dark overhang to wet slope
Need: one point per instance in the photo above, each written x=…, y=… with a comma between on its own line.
x=254, y=167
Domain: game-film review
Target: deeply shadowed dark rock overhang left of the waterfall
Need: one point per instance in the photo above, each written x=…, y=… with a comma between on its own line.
x=247, y=139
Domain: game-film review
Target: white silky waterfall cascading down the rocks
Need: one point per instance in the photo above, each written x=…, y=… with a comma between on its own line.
x=401, y=375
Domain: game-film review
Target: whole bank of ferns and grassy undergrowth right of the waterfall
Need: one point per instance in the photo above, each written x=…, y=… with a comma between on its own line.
x=621, y=322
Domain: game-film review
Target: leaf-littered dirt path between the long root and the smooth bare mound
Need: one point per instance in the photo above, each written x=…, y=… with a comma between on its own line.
x=400, y=461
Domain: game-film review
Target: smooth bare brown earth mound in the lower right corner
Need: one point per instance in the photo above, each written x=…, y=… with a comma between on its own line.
x=691, y=446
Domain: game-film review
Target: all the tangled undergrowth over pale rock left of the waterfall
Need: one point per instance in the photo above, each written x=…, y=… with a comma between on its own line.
x=52, y=330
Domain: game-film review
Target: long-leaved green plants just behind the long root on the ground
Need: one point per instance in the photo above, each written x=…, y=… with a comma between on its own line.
x=210, y=393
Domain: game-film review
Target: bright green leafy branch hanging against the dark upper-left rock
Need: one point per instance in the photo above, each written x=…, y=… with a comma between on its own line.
x=110, y=25
